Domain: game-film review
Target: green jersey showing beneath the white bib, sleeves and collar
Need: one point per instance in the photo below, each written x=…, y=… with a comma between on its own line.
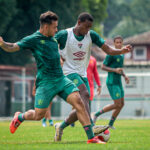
x=61, y=37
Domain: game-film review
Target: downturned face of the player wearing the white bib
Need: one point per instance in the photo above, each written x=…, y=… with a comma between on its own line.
x=84, y=27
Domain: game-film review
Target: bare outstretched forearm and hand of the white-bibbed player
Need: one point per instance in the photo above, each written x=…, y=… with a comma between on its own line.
x=112, y=51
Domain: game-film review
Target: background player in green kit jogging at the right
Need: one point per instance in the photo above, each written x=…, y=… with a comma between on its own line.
x=113, y=65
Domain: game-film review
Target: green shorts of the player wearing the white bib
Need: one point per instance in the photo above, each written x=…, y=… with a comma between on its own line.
x=78, y=80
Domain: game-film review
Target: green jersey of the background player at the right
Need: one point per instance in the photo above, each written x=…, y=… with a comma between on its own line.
x=114, y=62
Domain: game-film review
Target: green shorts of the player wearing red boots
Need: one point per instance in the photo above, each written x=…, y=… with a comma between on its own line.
x=45, y=93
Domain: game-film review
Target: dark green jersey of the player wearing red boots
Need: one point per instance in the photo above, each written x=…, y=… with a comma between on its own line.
x=45, y=51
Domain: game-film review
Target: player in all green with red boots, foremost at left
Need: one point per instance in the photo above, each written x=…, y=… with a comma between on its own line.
x=50, y=80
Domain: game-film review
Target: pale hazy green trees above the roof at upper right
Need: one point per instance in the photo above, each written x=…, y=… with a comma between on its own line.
x=127, y=18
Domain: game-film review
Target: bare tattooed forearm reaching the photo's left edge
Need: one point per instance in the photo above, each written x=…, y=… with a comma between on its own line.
x=8, y=47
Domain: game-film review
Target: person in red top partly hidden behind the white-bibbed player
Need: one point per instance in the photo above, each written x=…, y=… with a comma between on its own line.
x=92, y=74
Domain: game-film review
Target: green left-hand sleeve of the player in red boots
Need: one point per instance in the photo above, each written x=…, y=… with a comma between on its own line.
x=26, y=43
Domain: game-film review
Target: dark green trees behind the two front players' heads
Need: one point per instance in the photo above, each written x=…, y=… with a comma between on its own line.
x=20, y=18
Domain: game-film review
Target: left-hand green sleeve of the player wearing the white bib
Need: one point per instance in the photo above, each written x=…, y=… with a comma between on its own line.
x=61, y=38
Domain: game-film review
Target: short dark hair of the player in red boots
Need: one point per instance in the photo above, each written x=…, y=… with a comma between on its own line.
x=48, y=17
